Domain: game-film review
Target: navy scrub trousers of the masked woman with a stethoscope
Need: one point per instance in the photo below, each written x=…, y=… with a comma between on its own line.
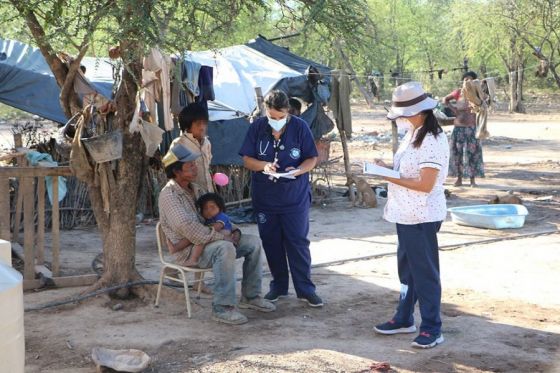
x=284, y=236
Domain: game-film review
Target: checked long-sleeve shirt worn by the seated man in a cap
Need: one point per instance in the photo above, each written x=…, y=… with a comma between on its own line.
x=180, y=219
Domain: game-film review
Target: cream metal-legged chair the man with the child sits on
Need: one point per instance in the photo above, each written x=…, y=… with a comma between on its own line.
x=182, y=275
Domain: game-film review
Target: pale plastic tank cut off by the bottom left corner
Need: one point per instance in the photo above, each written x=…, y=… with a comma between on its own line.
x=12, y=343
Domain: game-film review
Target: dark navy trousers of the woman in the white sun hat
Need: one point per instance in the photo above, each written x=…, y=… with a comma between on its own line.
x=418, y=262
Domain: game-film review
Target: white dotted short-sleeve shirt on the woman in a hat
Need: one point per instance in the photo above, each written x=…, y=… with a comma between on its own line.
x=407, y=206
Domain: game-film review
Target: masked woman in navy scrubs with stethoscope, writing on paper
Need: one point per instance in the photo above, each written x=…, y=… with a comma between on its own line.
x=280, y=143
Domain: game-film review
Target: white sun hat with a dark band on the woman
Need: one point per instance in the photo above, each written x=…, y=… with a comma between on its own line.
x=410, y=99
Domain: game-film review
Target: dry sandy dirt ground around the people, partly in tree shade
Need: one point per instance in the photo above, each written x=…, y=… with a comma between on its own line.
x=501, y=305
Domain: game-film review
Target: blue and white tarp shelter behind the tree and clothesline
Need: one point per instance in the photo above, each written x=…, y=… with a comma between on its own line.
x=27, y=83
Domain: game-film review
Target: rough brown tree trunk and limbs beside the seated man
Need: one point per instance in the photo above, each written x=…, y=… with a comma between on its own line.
x=117, y=225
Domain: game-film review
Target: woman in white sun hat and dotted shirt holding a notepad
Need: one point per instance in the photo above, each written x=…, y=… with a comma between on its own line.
x=416, y=203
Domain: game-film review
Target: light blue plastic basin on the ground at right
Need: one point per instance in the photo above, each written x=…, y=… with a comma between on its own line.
x=490, y=216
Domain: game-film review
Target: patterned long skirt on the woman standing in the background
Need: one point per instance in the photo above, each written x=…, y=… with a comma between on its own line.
x=465, y=153
